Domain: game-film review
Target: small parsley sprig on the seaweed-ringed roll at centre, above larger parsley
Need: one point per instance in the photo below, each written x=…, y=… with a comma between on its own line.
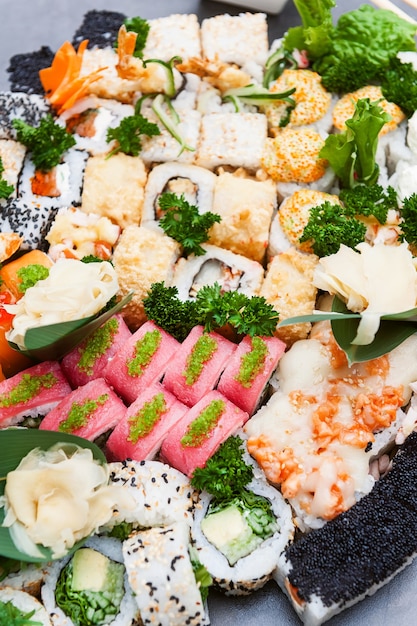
x=184, y=223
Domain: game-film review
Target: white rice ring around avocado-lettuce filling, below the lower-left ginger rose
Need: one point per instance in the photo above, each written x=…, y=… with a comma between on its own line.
x=109, y=547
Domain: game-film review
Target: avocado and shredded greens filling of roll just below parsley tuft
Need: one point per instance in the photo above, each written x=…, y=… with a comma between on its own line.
x=236, y=528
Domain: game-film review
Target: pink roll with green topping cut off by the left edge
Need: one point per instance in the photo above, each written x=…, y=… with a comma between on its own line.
x=33, y=391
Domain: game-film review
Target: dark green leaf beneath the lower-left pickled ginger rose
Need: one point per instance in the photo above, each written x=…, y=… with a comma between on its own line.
x=15, y=444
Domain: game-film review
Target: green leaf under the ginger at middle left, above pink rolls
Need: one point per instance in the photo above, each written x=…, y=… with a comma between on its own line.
x=52, y=342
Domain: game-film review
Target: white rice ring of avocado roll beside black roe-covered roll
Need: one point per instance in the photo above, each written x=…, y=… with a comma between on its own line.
x=250, y=572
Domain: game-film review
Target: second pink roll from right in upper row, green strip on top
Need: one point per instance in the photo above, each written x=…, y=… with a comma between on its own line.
x=198, y=365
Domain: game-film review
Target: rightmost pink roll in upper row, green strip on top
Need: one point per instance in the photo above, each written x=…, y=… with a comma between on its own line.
x=247, y=374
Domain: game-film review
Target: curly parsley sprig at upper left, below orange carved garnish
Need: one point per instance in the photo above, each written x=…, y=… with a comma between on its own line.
x=47, y=142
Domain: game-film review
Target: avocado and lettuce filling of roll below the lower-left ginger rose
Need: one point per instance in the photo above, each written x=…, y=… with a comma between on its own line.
x=90, y=588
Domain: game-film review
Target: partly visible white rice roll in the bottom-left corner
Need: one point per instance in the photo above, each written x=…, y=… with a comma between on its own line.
x=20, y=606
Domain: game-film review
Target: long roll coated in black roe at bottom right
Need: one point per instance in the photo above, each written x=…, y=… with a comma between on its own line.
x=336, y=566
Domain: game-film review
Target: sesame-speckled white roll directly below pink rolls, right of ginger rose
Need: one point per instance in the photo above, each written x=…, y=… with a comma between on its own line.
x=163, y=495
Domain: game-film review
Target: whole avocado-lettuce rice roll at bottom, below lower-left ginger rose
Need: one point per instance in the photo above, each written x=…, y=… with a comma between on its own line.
x=90, y=587
